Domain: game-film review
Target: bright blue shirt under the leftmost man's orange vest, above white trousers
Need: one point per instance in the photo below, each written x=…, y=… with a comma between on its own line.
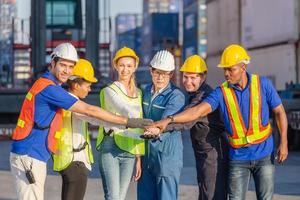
x=47, y=102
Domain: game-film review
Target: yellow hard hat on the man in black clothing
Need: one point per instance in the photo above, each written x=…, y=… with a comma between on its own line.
x=194, y=64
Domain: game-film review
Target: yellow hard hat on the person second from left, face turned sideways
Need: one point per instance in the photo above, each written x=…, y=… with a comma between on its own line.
x=85, y=70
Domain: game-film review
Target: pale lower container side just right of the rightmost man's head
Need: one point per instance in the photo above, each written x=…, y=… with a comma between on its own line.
x=278, y=63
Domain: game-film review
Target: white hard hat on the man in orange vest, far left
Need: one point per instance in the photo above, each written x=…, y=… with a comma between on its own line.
x=66, y=51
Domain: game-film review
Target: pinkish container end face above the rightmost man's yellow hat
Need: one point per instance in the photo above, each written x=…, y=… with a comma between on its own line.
x=222, y=25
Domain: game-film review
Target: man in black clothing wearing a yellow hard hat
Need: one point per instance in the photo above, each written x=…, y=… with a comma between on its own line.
x=207, y=135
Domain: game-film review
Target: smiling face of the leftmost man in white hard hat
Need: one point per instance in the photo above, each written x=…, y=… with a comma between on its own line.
x=62, y=69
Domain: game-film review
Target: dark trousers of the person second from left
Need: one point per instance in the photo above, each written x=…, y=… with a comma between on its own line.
x=74, y=180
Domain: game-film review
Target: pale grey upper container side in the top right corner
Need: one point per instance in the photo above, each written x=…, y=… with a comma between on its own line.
x=269, y=22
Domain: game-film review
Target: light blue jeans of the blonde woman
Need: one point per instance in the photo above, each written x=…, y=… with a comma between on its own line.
x=116, y=168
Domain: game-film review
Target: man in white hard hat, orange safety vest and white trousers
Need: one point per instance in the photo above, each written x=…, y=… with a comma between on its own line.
x=40, y=121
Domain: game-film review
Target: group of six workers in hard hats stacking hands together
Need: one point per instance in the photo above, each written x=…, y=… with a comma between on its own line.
x=140, y=130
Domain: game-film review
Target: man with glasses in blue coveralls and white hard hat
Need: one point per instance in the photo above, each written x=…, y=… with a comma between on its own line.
x=162, y=163
